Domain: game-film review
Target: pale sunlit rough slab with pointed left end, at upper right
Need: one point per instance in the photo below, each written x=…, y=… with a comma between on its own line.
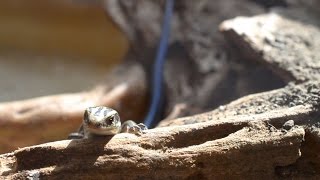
x=290, y=47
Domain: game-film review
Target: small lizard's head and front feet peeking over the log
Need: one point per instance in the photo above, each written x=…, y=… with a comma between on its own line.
x=102, y=121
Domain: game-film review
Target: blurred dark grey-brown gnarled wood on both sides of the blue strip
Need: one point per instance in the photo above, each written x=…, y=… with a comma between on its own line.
x=198, y=61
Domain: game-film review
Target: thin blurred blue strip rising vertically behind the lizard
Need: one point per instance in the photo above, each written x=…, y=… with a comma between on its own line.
x=157, y=86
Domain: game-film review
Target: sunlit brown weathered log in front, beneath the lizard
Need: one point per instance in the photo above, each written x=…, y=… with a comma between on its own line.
x=214, y=149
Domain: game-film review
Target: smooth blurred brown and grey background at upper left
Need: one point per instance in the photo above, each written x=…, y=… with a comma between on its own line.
x=55, y=46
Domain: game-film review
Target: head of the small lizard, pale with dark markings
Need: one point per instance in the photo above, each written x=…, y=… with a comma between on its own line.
x=101, y=121
